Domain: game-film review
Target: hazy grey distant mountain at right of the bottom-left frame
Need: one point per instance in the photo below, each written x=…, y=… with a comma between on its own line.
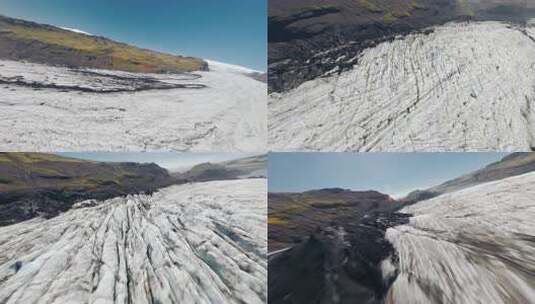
x=249, y=167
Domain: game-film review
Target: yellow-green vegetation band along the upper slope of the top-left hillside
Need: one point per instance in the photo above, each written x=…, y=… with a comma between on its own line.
x=118, y=56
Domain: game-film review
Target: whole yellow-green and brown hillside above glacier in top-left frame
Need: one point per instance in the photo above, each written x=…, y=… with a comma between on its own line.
x=40, y=43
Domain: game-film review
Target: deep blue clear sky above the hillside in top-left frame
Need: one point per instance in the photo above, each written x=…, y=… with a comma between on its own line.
x=230, y=31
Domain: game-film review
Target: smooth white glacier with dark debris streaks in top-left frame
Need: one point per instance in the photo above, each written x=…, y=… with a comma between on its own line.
x=58, y=109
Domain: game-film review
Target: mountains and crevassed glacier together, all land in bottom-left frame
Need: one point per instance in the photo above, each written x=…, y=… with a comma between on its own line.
x=77, y=230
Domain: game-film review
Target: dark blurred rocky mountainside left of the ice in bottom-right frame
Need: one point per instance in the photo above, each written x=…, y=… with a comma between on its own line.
x=327, y=245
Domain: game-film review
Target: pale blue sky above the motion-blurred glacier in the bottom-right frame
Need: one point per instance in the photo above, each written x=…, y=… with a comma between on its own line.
x=395, y=174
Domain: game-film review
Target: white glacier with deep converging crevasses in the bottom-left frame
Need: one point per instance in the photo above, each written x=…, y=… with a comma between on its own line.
x=195, y=243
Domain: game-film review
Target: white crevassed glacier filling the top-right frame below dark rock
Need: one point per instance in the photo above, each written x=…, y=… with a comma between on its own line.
x=463, y=87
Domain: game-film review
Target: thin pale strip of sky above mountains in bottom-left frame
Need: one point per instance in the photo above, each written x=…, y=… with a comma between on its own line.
x=170, y=160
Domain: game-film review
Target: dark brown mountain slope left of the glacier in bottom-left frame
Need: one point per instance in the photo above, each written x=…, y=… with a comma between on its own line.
x=34, y=184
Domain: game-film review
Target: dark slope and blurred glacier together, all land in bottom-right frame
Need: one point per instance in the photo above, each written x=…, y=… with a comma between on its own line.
x=466, y=240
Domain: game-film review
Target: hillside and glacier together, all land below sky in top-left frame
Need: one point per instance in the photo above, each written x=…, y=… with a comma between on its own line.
x=67, y=91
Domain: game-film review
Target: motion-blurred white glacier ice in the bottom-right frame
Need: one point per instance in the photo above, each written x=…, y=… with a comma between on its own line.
x=471, y=246
